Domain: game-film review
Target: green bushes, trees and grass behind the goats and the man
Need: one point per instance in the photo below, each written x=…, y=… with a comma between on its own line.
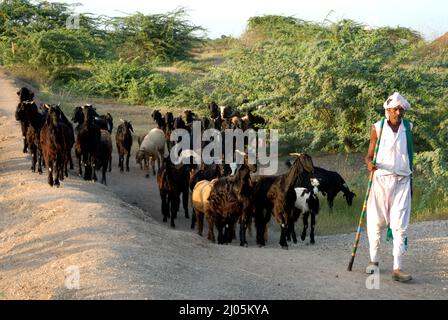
x=321, y=84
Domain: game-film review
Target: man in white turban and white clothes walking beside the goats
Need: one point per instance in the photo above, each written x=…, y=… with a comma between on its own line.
x=389, y=202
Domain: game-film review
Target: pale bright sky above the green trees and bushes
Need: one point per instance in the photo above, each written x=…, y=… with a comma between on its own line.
x=229, y=17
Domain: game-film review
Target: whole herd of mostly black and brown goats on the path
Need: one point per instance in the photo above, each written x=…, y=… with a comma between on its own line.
x=223, y=194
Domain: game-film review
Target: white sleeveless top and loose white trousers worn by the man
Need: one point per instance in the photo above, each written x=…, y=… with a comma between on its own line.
x=390, y=197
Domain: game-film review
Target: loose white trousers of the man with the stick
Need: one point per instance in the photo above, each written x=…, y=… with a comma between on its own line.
x=389, y=204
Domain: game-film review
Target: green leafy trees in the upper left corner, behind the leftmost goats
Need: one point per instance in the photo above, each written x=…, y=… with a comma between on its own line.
x=37, y=34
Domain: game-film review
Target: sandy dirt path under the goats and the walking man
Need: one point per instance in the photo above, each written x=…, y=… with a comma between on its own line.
x=114, y=237
